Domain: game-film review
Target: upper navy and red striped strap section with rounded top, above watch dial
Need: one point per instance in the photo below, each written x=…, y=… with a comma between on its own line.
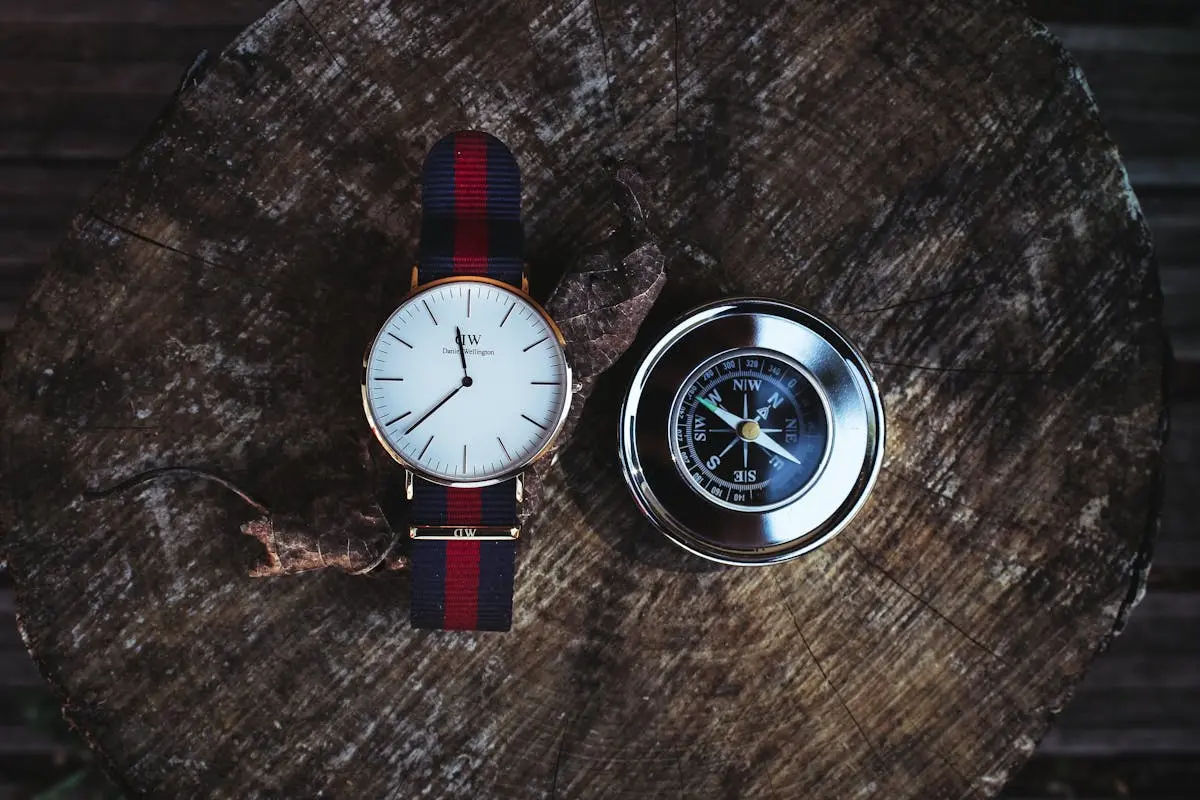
x=471, y=202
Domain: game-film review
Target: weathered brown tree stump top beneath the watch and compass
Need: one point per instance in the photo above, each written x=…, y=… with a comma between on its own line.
x=933, y=177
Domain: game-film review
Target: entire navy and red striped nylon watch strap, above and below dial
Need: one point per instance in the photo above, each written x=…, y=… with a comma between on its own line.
x=471, y=226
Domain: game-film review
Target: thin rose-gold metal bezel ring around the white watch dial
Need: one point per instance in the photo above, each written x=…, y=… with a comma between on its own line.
x=556, y=429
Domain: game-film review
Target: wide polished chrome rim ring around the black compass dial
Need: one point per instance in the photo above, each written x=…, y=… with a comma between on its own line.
x=811, y=518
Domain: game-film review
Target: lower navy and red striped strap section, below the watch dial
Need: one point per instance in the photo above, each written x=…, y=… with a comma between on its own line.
x=464, y=585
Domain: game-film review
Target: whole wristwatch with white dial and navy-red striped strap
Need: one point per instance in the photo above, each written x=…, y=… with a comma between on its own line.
x=466, y=386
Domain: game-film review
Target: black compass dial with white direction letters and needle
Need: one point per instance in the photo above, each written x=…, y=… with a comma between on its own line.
x=751, y=431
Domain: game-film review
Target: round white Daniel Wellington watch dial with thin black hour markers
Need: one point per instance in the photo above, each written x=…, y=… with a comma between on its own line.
x=467, y=382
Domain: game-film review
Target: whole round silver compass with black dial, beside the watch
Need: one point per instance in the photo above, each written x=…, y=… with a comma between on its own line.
x=698, y=508
